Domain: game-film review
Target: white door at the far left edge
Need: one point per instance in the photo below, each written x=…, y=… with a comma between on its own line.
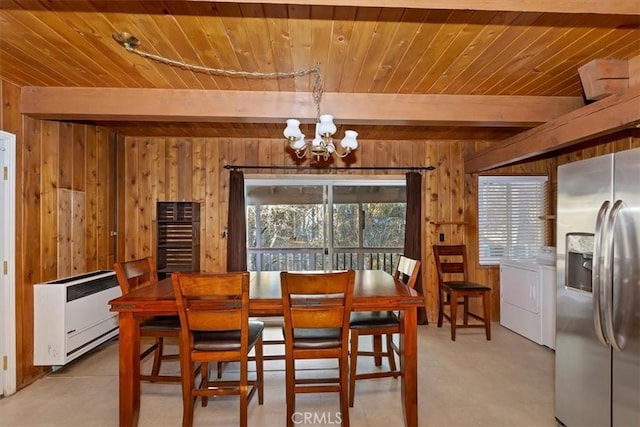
x=7, y=264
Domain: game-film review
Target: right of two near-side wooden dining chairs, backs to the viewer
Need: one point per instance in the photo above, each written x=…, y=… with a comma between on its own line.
x=316, y=326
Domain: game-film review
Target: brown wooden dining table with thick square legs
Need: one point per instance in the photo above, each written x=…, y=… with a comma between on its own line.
x=374, y=290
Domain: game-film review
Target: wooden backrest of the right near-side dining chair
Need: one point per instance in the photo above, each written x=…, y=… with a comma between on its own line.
x=317, y=300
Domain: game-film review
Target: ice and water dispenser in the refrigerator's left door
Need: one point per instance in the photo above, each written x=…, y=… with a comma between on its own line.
x=579, y=261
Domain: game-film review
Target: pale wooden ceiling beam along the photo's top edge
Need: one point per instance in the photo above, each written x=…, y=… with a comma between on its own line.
x=610, y=7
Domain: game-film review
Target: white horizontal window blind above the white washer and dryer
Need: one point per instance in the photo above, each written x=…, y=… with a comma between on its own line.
x=509, y=211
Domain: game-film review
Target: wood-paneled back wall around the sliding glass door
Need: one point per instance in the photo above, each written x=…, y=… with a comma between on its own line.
x=159, y=169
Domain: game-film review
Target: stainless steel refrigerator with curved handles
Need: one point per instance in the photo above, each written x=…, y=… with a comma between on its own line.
x=598, y=292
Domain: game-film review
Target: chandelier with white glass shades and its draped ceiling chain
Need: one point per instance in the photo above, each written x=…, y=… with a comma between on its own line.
x=322, y=146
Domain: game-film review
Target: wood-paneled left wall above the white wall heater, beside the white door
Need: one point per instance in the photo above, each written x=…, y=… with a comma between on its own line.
x=54, y=160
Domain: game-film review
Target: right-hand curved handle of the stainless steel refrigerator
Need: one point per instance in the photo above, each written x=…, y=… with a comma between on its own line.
x=608, y=274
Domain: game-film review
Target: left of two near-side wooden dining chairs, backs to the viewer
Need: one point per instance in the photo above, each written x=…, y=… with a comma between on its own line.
x=214, y=315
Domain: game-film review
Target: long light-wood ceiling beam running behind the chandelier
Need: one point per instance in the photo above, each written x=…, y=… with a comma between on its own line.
x=178, y=105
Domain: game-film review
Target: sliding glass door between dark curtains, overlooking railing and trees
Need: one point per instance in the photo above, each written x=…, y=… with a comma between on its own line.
x=324, y=224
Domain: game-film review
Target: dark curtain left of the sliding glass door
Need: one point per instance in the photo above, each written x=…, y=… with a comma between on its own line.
x=237, y=224
